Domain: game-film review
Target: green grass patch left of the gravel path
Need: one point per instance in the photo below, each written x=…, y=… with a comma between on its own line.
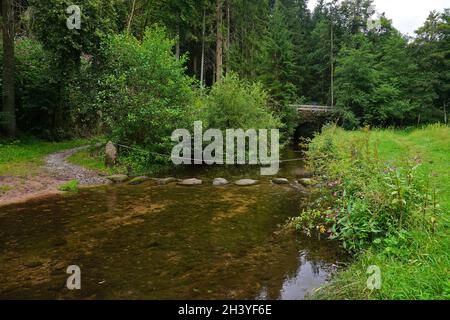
x=25, y=157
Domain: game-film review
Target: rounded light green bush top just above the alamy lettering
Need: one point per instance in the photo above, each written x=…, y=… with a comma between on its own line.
x=235, y=103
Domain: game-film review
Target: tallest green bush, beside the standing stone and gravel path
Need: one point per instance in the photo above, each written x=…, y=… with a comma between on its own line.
x=144, y=94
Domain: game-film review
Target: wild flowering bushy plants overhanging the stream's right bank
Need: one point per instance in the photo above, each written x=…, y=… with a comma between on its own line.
x=364, y=199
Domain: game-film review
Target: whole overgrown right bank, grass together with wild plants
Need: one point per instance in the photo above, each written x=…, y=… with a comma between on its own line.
x=413, y=258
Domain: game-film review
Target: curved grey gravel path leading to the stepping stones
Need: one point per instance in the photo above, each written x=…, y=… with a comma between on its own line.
x=58, y=167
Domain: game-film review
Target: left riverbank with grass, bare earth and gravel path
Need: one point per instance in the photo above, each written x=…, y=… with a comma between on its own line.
x=33, y=169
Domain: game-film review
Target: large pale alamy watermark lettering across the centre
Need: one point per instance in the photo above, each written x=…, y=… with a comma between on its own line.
x=231, y=149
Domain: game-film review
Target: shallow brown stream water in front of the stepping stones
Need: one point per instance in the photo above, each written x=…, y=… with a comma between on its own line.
x=162, y=242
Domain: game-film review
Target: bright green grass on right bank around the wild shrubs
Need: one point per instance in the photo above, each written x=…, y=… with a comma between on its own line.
x=420, y=268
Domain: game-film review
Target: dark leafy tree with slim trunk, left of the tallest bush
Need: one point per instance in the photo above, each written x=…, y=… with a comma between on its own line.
x=99, y=18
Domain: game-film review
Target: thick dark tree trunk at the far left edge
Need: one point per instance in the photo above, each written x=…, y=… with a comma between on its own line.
x=8, y=67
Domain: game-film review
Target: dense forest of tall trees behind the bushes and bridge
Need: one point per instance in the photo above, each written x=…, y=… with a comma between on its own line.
x=381, y=77
